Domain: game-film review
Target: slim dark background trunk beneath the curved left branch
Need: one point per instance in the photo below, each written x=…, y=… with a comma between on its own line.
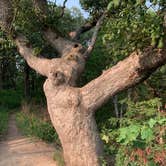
x=26, y=81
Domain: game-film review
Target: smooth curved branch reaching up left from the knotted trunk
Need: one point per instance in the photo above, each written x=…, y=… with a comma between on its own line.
x=41, y=65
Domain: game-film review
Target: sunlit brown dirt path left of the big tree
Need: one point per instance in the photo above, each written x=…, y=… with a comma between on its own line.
x=18, y=150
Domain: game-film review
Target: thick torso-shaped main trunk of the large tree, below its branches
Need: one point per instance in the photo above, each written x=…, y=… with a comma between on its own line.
x=75, y=126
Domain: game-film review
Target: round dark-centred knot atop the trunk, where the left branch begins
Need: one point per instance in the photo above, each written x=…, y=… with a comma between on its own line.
x=57, y=78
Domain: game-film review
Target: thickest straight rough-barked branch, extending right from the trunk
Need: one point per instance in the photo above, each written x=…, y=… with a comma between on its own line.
x=127, y=73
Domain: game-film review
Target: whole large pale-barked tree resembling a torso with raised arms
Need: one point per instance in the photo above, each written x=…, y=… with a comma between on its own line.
x=72, y=108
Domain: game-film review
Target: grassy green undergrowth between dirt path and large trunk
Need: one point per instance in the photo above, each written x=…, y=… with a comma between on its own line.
x=34, y=126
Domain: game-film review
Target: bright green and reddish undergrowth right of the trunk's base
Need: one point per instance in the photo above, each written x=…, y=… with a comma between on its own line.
x=141, y=135
